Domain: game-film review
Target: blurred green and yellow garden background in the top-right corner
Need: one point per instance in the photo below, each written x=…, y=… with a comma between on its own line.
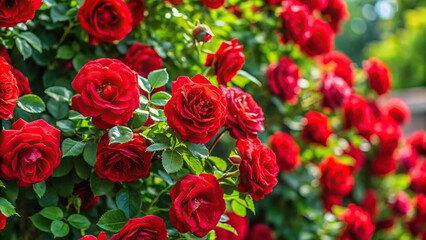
x=395, y=32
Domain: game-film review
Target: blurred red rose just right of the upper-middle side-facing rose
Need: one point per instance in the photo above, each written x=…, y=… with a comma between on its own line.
x=282, y=79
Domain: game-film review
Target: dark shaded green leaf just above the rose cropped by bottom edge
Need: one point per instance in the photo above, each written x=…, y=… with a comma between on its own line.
x=129, y=201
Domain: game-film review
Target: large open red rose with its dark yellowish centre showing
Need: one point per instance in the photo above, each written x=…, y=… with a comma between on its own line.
x=108, y=92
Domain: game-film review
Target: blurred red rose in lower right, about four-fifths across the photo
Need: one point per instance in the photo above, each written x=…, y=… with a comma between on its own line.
x=336, y=178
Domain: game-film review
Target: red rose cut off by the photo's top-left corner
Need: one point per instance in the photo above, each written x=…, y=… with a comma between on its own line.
x=13, y=12
